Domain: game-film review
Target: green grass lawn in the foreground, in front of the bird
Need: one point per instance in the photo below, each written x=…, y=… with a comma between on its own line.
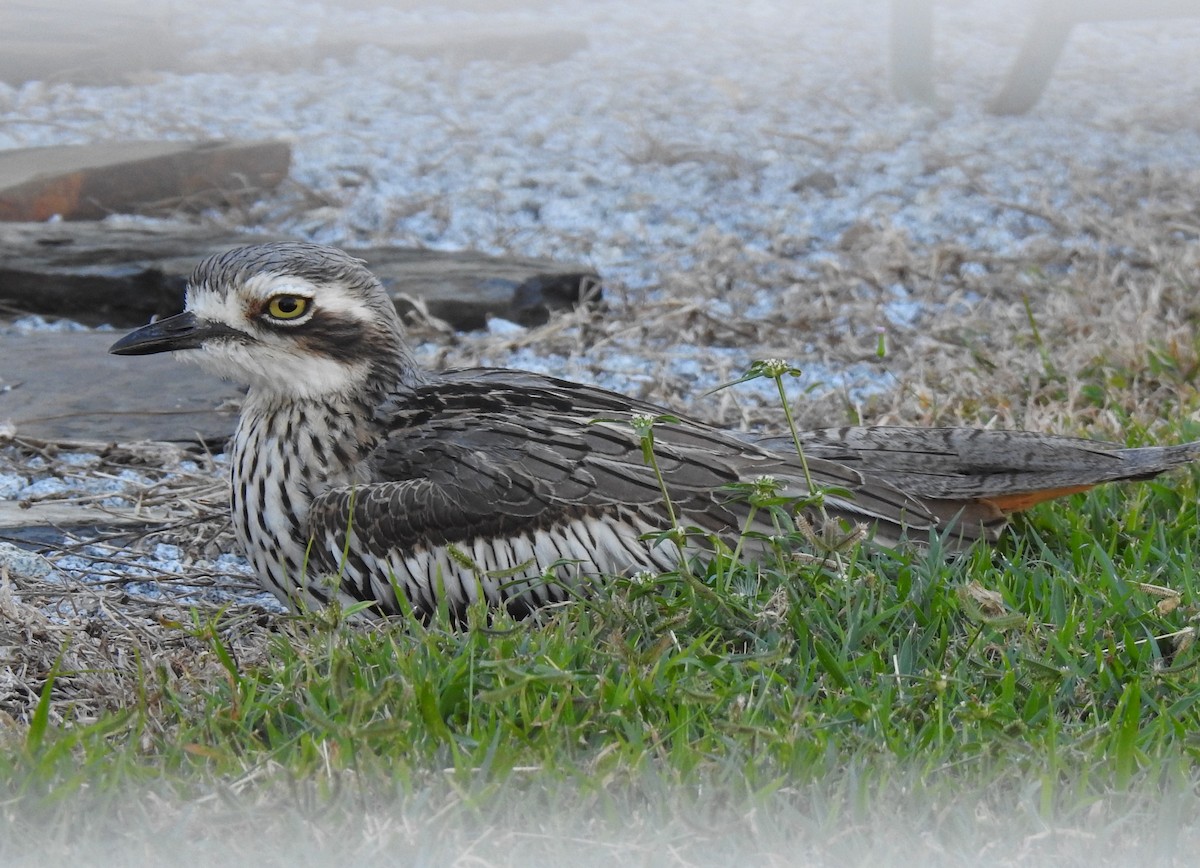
x=1035, y=702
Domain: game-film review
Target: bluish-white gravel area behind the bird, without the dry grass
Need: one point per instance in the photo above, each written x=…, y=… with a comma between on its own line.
x=689, y=140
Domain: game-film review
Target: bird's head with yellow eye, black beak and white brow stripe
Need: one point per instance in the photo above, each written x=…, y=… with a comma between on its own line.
x=290, y=320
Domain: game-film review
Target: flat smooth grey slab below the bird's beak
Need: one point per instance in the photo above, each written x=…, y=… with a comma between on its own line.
x=67, y=386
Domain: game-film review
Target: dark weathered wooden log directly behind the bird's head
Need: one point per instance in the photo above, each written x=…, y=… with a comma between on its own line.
x=123, y=274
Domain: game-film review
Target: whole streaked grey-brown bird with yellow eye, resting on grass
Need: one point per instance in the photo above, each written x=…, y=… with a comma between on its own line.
x=359, y=477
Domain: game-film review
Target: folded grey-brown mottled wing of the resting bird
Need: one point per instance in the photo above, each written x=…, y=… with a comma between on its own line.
x=501, y=454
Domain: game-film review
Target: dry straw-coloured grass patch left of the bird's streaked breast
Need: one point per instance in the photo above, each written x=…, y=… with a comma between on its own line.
x=104, y=638
